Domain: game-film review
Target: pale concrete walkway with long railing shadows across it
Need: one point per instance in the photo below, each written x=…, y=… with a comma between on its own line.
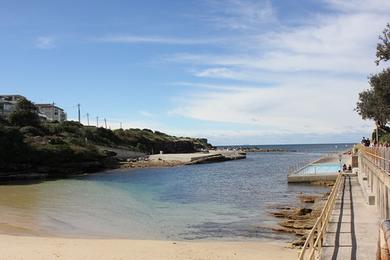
x=353, y=227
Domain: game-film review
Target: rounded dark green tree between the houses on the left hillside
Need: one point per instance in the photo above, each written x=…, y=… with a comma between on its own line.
x=25, y=114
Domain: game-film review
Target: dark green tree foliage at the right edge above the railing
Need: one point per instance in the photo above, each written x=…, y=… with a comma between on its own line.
x=374, y=103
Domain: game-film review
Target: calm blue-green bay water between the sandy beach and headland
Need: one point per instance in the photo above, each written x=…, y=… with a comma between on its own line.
x=226, y=201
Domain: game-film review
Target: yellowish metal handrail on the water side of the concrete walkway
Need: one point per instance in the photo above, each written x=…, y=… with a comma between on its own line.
x=314, y=240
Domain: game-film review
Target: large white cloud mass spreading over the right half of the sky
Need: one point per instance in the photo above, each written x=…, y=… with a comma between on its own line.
x=315, y=72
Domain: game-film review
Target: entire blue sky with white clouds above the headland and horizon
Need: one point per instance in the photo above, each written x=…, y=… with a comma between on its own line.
x=233, y=71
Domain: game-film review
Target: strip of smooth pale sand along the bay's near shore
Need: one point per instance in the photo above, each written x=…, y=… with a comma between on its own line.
x=44, y=248
